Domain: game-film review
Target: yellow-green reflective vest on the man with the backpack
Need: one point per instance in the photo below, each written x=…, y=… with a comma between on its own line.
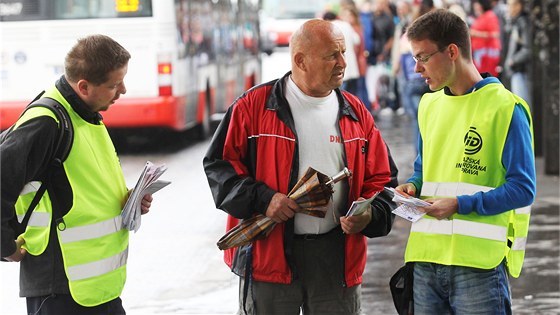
x=93, y=242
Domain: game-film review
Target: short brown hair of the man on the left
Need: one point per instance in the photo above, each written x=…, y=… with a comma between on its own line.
x=93, y=57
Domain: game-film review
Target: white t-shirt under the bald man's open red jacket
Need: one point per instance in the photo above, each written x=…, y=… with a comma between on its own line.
x=320, y=146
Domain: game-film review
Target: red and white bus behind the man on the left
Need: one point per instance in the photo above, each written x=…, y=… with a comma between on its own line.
x=190, y=58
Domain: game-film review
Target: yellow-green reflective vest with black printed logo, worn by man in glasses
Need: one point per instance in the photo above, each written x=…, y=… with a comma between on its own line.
x=463, y=140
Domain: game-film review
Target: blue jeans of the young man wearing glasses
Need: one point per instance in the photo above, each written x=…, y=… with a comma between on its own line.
x=440, y=289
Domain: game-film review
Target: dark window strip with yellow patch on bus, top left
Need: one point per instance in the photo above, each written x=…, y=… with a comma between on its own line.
x=33, y=10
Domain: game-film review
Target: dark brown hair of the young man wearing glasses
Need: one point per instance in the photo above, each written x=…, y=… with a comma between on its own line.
x=443, y=28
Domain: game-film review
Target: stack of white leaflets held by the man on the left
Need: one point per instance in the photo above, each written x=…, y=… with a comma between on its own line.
x=148, y=183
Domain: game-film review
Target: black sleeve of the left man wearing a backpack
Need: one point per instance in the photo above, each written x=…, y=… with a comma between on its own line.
x=24, y=156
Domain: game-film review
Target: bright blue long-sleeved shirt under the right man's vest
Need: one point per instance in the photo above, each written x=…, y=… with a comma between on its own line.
x=518, y=159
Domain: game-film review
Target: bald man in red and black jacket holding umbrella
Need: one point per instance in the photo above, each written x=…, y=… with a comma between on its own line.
x=264, y=144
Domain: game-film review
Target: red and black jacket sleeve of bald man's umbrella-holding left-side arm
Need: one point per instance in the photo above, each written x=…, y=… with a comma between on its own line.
x=233, y=187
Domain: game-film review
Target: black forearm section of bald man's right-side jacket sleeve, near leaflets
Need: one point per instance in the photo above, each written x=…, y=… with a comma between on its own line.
x=382, y=207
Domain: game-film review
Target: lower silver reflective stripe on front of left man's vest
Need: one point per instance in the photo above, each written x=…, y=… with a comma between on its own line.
x=97, y=268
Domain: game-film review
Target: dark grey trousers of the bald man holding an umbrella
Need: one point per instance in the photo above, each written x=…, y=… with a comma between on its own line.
x=319, y=287
